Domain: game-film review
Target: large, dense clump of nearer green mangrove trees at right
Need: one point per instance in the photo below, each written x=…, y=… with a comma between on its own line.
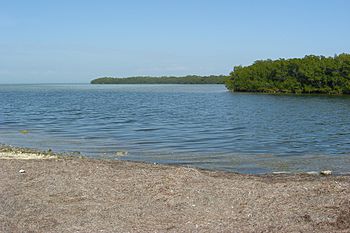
x=311, y=74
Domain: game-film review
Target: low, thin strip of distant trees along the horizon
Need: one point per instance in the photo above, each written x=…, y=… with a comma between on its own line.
x=189, y=79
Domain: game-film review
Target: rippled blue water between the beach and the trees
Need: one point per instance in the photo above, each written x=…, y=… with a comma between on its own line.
x=198, y=125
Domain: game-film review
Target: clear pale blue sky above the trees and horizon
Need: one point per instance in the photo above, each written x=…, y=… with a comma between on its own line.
x=77, y=41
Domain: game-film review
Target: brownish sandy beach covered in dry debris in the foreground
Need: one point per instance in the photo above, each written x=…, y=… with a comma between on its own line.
x=47, y=193
